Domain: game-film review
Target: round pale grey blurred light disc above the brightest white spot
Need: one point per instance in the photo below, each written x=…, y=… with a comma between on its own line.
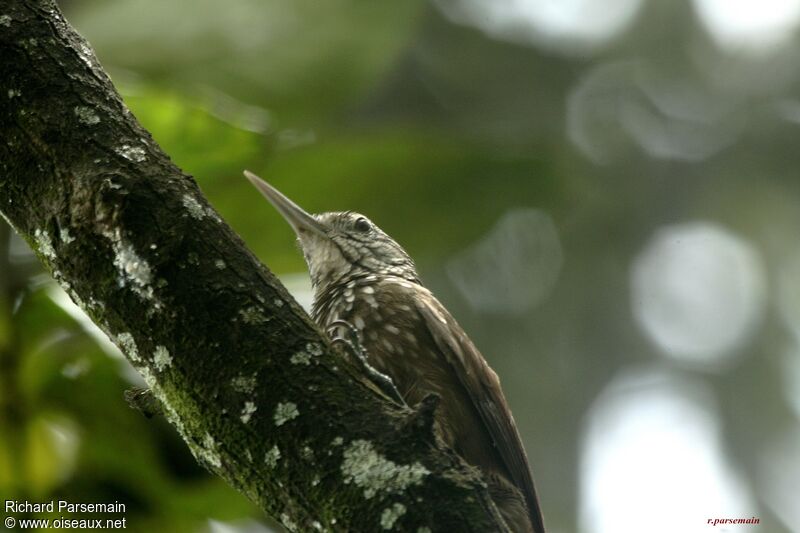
x=698, y=291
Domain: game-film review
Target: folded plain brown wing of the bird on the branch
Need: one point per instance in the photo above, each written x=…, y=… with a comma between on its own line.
x=483, y=387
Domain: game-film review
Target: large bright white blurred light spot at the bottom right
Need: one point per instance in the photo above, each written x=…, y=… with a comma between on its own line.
x=653, y=458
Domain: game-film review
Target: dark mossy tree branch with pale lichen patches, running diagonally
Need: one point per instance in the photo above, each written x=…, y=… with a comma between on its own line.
x=243, y=374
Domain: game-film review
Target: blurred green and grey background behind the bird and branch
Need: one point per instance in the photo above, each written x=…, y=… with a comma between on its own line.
x=605, y=194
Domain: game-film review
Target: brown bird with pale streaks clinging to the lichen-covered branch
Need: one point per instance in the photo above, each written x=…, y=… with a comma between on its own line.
x=365, y=280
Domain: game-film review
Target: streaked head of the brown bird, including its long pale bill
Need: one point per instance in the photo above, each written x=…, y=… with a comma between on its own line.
x=339, y=246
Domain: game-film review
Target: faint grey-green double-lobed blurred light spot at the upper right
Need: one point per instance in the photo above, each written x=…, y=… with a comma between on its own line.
x=619, y=106
